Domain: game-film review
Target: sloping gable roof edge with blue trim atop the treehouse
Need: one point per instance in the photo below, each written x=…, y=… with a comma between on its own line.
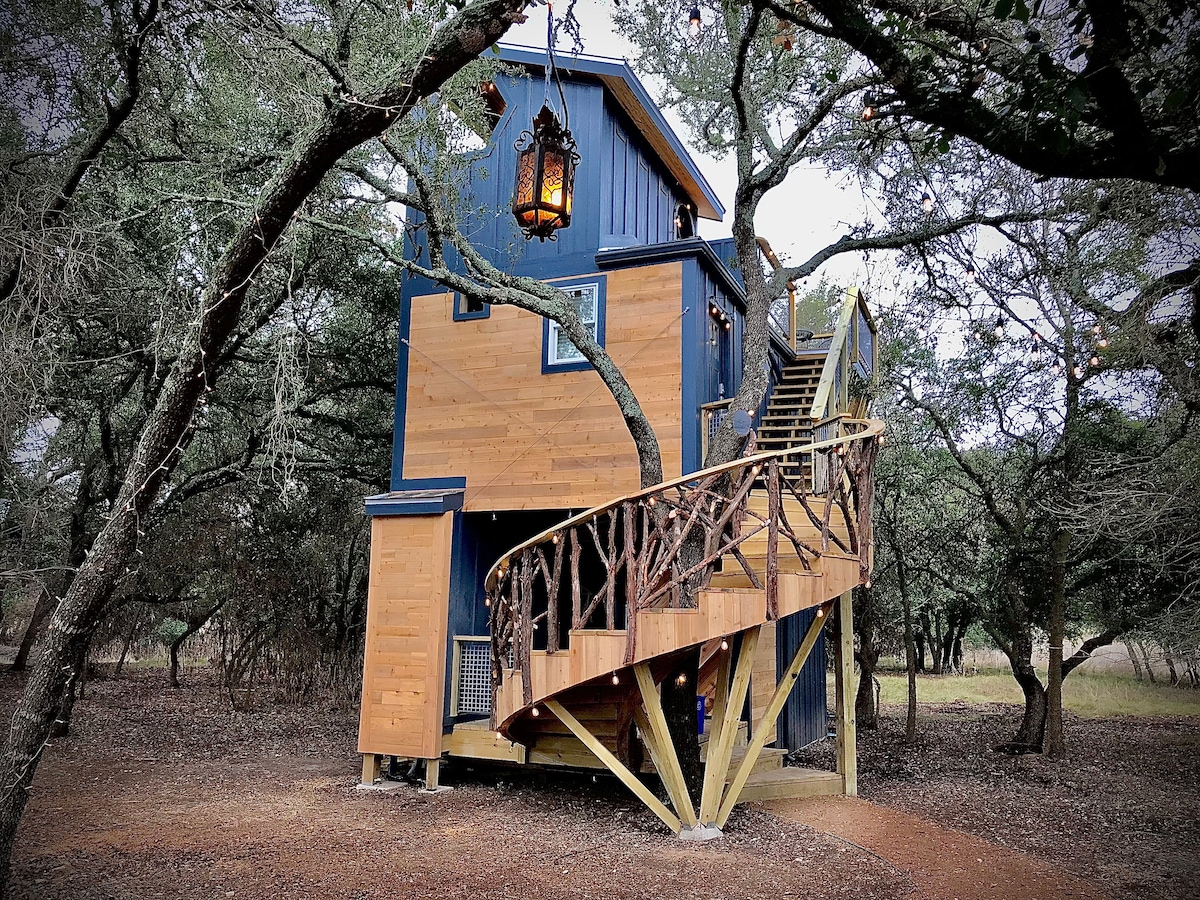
x=637, y=104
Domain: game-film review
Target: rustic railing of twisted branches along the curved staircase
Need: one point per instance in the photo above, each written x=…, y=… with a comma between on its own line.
x=659, y=548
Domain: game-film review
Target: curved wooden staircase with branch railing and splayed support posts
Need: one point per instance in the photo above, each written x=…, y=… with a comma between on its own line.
x=589, y=617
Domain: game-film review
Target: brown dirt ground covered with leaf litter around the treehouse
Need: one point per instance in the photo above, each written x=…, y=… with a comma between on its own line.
x=164, y=794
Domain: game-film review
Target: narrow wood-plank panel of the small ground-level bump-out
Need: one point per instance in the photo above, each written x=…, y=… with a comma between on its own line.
x=404, y=670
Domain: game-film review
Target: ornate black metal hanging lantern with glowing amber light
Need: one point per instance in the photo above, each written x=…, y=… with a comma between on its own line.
x=547, y=161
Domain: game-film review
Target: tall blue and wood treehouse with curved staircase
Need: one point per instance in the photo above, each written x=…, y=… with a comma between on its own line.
x=527, y=596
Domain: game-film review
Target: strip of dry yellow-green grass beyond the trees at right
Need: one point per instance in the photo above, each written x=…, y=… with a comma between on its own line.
x=1084, y=694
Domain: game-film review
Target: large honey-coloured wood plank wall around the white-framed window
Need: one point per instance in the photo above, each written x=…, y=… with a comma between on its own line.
x=479, y=406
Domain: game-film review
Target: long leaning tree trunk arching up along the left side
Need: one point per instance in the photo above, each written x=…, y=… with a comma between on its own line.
x=169, y=428
